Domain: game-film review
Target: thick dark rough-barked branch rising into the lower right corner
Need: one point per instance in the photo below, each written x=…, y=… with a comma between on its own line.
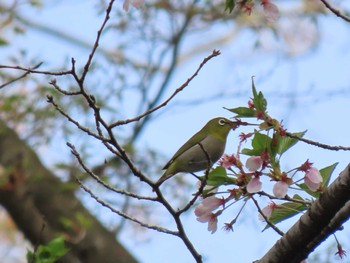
x=325, y=216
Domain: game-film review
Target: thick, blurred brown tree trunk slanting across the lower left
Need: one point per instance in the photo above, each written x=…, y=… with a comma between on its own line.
x=34, y=196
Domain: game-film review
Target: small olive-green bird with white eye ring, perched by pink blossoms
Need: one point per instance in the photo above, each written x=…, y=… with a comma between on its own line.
x=207, y=144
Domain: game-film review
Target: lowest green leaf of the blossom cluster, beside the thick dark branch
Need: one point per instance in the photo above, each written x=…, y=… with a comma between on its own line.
x=286, y=210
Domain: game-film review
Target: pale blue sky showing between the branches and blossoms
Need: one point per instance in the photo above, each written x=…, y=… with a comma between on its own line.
x=313, y=77
